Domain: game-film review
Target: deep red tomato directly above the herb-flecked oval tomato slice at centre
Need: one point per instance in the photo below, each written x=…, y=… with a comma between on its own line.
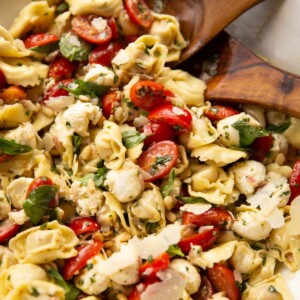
x=158, y=131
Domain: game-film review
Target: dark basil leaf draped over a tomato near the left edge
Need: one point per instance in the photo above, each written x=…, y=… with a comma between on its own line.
x=37, y=203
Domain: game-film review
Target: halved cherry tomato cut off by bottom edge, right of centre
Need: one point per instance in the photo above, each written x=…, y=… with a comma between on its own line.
x=222, y=279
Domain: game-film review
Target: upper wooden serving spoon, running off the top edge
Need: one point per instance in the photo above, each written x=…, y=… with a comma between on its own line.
x=201, y=20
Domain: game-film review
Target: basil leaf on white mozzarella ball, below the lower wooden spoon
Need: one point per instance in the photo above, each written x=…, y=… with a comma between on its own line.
x=247, y=133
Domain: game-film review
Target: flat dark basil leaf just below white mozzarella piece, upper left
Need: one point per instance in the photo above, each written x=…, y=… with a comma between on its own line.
x=87, y=88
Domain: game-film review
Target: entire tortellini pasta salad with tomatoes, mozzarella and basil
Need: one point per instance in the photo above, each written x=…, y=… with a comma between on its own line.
x=119, y=181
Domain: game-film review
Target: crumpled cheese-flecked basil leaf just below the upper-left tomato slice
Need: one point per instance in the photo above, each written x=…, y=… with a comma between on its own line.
x=73, y=47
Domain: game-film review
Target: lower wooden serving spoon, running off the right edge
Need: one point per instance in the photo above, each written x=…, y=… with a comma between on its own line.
x=244, y=78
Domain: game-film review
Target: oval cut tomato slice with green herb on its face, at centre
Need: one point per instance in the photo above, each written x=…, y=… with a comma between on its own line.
x=158, y=160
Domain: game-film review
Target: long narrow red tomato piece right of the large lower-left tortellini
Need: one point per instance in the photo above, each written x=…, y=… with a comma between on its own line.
x=84, y=253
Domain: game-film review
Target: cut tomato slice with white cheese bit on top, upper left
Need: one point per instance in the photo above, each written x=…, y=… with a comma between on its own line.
x=90, y=29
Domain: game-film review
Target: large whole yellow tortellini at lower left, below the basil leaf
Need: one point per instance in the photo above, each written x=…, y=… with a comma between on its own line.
x=43, y=244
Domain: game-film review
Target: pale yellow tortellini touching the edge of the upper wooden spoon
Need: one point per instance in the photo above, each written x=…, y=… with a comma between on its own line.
x=166, y=27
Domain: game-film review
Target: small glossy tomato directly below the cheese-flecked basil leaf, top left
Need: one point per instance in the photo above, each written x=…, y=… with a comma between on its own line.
x=61, y=67
